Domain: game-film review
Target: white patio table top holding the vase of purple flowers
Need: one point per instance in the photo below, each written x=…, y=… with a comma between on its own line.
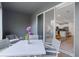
x=22, y=48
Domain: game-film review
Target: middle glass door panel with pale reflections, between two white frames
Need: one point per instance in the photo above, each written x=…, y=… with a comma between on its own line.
x=49, y=26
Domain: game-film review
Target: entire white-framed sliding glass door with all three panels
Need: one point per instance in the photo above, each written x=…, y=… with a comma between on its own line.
x=58, y=23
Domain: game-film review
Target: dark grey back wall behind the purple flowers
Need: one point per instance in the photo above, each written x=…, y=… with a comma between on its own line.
x=14, y=22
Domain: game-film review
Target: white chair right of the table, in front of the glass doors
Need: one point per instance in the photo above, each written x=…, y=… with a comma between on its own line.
x=53, y=48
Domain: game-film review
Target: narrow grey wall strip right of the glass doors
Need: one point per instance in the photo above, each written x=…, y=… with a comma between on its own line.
x=77, y=29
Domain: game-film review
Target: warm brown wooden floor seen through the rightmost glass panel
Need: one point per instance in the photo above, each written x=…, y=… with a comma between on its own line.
x=68, y=46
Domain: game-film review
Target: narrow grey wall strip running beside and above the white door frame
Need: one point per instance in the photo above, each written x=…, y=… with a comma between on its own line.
x=33, y=18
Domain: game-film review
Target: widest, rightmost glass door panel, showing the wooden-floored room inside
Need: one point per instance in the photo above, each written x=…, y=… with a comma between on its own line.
x=64, y=17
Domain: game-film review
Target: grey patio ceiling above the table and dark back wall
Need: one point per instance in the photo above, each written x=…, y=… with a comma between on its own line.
x=27, y=7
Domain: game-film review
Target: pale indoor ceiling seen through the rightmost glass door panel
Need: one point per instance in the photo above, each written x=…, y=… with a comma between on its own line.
x=65, y=14
